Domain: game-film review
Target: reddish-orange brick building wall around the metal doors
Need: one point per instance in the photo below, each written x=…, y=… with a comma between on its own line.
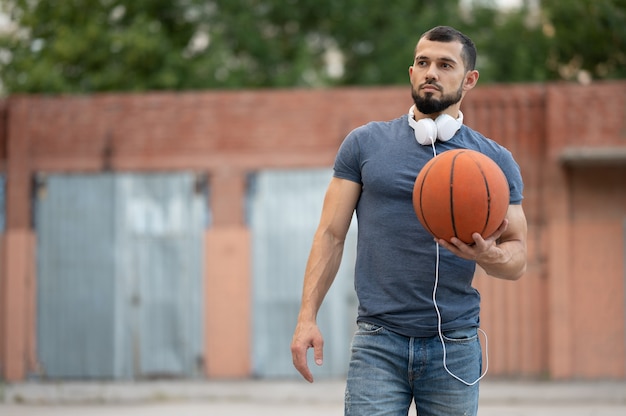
x=565, y=319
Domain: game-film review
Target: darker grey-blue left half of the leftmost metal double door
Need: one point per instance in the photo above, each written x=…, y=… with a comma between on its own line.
x=76, y=279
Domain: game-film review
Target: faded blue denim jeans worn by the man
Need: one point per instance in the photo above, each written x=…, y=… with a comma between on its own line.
x=387, y=371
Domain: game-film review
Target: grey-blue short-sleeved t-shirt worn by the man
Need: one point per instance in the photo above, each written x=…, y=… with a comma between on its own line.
x=396, y=256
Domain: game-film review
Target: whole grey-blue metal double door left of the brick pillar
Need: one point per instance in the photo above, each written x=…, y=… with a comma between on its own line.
x=119, y=275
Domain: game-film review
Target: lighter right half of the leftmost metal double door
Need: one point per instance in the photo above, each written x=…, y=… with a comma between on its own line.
x=160, y=250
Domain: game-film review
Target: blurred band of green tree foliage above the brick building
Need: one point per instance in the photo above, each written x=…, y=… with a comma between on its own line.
x=82, y=46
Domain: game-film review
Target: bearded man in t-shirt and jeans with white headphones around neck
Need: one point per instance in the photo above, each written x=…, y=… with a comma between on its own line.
x=412, y=294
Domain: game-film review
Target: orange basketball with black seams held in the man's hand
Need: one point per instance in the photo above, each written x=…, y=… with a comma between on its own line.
x=460, y=192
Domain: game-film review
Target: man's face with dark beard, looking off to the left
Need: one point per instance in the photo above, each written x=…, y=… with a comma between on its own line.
x=437, y=76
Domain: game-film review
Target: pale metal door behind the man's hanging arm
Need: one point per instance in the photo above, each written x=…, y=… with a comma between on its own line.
x=285, y=207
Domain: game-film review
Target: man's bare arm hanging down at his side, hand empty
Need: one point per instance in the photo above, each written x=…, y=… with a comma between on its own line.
x=324, y=260
